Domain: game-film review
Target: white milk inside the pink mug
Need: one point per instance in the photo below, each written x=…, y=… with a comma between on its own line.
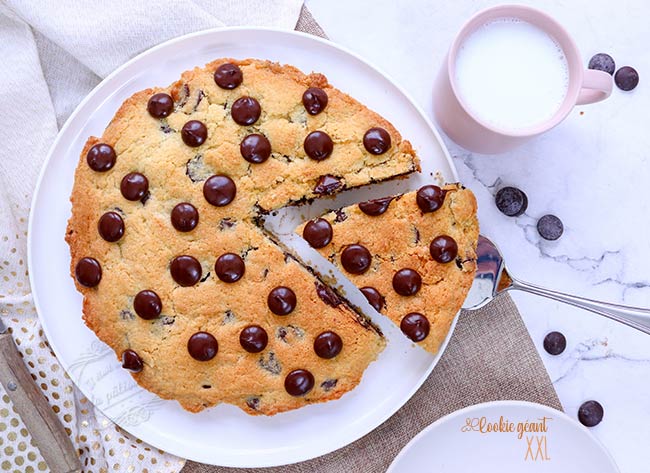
x=511, y=74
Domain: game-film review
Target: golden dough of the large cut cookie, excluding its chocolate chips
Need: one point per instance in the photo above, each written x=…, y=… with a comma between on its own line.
x=176, y=172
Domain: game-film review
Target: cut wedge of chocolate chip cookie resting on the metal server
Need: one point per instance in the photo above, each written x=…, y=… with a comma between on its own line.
x=413, y=255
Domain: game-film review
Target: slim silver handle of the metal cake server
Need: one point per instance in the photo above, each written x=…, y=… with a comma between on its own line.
x=635, y=317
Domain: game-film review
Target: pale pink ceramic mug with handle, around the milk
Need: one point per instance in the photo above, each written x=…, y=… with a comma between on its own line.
x=463, y=127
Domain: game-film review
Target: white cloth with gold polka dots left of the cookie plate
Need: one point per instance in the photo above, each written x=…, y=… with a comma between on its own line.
x=53, y=54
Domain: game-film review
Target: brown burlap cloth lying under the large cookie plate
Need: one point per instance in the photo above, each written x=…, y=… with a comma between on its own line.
x=490, y=357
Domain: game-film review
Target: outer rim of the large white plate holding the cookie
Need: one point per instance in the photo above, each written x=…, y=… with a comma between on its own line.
x=166, y=442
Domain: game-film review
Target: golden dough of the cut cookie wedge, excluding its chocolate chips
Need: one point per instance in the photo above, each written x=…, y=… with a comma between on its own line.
x=400, y=238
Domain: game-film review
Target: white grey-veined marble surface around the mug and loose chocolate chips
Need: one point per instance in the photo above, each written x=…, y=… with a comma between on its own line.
x=593, y=171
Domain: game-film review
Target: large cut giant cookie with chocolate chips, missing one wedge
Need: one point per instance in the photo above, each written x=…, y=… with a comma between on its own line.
x=177, y=275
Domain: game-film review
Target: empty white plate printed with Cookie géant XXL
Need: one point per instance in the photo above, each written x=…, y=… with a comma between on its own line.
x=508, y=436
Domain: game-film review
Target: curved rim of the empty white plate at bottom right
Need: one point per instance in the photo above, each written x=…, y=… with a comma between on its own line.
x=467, y=411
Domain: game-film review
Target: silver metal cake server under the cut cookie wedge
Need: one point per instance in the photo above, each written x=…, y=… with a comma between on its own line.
x=492, y=278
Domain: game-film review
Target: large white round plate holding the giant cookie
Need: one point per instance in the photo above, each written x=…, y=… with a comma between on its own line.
x=224, y=435
